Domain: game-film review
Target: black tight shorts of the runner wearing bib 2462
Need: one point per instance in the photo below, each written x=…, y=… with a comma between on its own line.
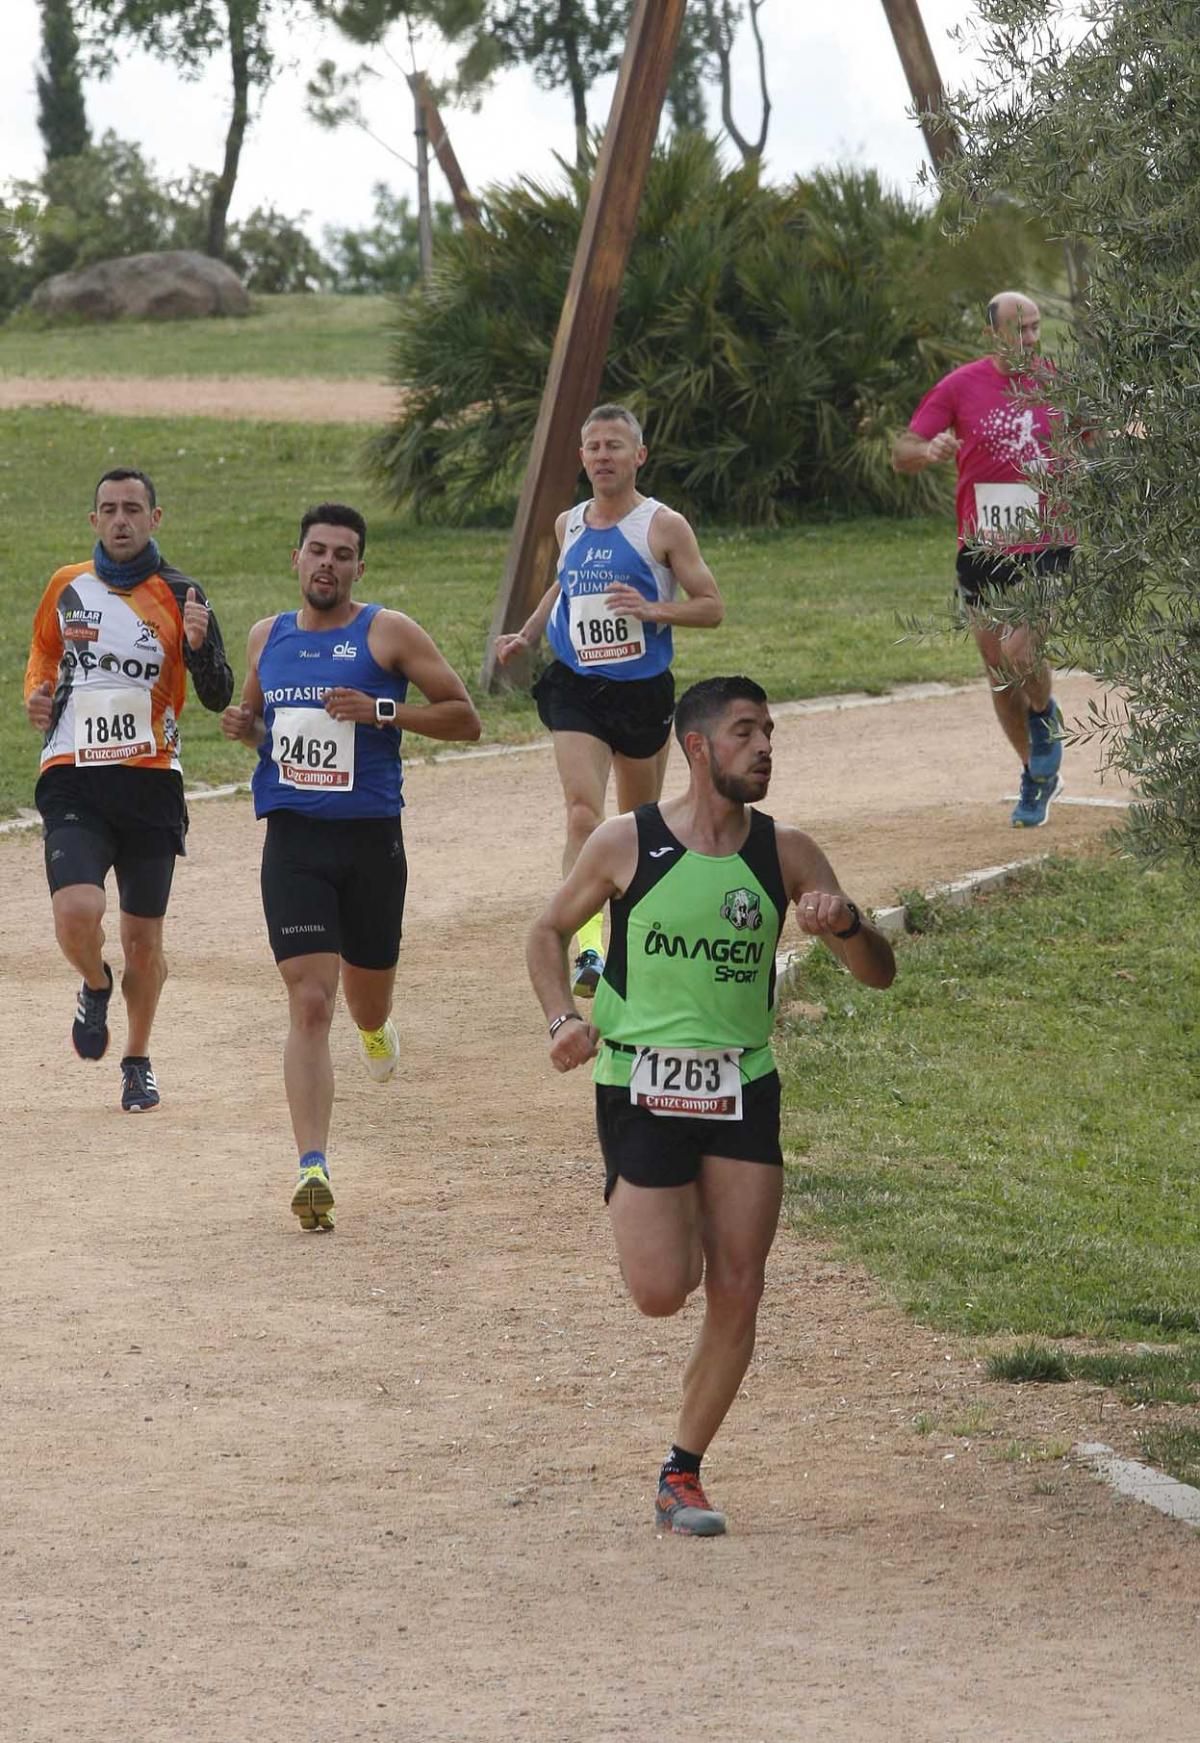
x=336, y=886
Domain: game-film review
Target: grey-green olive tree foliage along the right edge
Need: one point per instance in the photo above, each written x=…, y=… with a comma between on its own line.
x=1093, y=112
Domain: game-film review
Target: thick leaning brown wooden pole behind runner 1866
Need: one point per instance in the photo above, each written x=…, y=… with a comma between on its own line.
x=582, y=344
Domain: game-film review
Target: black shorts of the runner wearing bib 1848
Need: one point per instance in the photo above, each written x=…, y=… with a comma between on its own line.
x=130, y=822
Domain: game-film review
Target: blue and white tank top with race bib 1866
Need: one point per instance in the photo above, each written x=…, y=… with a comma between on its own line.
x=582, y=630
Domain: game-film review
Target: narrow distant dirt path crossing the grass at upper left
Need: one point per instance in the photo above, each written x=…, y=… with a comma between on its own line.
x=210, y=397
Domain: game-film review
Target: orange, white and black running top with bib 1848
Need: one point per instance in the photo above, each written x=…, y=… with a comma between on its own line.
x=118, y=661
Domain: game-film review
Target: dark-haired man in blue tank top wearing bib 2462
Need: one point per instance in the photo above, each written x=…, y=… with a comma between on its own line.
x=325, y=703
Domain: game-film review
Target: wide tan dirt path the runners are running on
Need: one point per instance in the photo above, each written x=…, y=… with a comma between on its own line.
x=397, y=1484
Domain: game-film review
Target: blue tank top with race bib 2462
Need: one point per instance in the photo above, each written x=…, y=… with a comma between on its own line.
x=311, y=763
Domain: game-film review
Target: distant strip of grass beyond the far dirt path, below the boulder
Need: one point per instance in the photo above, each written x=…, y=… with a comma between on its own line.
x=283, y=336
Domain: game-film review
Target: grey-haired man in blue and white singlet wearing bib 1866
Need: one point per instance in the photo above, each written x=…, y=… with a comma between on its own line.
x=608, y=698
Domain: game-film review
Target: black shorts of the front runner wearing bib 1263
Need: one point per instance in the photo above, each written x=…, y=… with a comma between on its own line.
x=664, y=1151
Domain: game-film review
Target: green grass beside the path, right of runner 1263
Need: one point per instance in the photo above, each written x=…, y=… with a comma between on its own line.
x=1011, y=1136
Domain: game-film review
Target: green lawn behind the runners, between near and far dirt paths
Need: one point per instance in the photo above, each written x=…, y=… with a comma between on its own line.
x=810, y=611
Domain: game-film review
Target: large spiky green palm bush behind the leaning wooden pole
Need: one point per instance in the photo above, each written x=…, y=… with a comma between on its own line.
x=772, y=339
